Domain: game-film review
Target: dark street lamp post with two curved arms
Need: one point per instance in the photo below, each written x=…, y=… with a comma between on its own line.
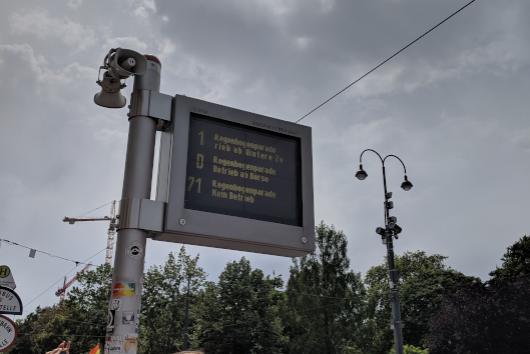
x=387, y=234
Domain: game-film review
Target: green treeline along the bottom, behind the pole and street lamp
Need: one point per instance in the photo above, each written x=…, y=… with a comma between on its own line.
x=325, y=307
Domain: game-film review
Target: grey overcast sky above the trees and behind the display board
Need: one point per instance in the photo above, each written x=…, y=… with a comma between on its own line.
x=454, y=107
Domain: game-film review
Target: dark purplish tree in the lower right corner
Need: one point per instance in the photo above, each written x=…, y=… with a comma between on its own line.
x=493, y=317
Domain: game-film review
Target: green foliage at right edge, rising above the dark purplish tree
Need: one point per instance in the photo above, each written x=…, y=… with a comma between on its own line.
x=516, y=261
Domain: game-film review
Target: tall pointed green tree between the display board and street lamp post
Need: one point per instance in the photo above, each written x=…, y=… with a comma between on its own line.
x=324, y=303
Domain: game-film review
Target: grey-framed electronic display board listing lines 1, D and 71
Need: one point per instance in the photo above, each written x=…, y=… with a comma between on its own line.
x=237, y=180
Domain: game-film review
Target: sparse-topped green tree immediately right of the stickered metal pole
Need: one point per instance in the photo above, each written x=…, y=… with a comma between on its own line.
x=164, y=303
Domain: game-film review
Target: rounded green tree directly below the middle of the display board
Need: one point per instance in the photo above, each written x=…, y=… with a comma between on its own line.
x=238, y=315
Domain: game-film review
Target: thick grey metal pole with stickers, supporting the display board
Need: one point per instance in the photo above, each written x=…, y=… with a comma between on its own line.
x=125, y=301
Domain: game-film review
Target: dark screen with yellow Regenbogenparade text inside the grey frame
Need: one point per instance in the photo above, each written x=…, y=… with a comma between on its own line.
x=238, y=170
